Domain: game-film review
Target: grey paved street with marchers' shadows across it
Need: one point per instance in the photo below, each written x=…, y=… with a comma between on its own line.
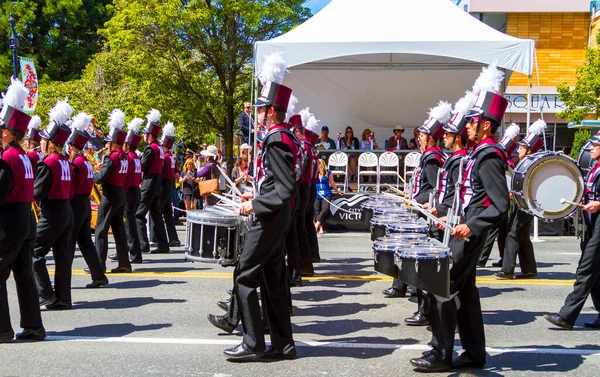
x=153, y=322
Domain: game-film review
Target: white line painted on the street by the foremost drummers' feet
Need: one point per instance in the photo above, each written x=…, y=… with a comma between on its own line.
x=413, y=347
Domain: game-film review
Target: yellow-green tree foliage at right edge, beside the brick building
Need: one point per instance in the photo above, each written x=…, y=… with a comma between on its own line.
x=583, y=100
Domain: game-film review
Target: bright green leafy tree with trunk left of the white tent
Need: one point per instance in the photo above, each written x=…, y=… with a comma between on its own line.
x=195, y=56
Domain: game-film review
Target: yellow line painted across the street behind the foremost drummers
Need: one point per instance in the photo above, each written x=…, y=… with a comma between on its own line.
x=323, y=277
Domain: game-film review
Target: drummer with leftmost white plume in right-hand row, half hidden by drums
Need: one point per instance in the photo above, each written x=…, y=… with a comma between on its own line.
x=426, y=178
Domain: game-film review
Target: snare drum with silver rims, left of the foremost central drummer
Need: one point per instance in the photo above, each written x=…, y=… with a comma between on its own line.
x=213, y=236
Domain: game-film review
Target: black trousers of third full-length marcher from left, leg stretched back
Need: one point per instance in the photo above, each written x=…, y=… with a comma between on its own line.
x=82, y=235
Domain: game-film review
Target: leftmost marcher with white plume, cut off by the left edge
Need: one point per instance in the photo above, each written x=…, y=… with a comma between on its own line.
x=16, y=219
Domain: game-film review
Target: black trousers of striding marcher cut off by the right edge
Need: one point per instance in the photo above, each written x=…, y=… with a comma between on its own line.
x=586, y=277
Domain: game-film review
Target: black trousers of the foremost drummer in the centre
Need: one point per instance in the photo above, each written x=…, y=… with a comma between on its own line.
x=263, y=261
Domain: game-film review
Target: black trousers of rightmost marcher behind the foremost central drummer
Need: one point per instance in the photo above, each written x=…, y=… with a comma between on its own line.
x=304, y=226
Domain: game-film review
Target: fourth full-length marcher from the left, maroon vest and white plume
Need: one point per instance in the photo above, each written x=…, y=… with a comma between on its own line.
x=112, y=176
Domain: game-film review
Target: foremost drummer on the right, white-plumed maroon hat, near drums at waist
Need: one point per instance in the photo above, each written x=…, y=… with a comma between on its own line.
x=484, y=202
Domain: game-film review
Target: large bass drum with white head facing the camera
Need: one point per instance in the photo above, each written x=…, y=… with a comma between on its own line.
x=542, y=179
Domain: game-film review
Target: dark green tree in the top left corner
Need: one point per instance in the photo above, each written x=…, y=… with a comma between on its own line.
x=60, y=35
